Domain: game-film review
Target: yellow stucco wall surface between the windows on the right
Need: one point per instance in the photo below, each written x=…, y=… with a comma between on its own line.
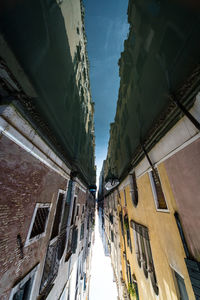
x=166, y=244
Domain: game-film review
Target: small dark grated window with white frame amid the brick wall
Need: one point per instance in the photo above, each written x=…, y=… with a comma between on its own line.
x=39, y=222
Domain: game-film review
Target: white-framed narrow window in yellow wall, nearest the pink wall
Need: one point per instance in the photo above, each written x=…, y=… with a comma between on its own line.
x=157, y=190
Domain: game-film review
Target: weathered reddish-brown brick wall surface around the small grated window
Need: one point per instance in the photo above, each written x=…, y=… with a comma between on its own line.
x=24, y=181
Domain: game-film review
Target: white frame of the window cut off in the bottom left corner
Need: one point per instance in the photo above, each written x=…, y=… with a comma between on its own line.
x=31, y=274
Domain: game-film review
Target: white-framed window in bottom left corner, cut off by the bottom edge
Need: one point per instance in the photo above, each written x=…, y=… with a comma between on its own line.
x=23, y=289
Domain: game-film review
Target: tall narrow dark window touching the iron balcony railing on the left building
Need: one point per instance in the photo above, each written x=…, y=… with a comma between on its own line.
x=58, y=216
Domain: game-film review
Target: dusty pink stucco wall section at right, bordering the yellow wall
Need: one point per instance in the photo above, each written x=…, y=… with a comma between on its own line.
x=183, y=170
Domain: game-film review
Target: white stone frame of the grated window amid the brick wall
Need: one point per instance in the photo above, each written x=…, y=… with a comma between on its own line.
x=37, y=237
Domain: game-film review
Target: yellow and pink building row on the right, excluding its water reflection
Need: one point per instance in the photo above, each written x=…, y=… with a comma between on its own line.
x=159, y=249
